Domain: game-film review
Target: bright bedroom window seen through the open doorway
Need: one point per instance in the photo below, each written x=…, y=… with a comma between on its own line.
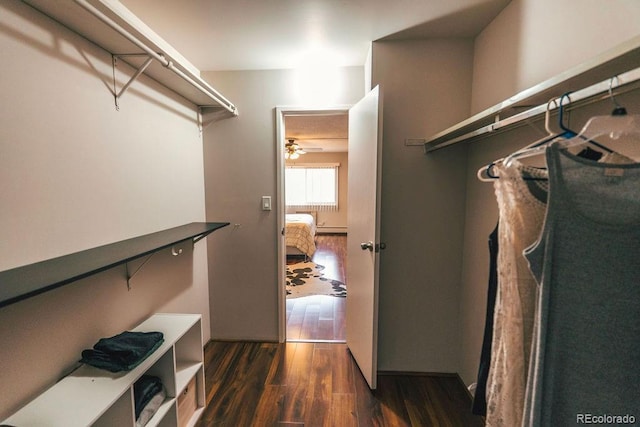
x=312, y=186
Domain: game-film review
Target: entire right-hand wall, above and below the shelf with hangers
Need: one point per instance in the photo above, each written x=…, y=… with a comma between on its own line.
x=530, y=41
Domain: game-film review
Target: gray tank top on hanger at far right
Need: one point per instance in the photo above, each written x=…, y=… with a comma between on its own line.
x=585, y=358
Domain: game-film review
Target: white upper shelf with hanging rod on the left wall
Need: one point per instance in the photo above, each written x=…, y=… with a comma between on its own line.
x=169, y=67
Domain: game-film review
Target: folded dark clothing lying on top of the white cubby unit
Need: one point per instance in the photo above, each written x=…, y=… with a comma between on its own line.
x=122, y=352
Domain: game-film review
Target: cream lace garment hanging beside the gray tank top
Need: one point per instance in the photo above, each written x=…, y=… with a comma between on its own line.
x=522, y=213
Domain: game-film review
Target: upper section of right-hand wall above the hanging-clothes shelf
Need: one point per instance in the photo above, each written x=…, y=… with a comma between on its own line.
x=532, y=41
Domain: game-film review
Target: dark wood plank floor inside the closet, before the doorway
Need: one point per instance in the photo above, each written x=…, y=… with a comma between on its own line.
x=318, y=384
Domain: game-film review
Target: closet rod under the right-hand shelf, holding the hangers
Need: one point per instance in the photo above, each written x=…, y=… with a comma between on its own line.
x=581, y=97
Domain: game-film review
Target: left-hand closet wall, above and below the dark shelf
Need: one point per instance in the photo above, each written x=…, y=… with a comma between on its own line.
x=75, y=174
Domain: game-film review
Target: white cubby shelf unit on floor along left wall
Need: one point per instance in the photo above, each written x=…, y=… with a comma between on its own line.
x=95, y=397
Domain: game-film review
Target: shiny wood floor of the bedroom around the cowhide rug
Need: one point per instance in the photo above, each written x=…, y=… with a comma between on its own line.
x=321, y=317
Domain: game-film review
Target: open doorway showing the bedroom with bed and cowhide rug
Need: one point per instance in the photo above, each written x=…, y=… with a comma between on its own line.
x=313, y=201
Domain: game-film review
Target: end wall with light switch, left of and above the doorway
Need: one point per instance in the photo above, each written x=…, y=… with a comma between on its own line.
x=243, y=266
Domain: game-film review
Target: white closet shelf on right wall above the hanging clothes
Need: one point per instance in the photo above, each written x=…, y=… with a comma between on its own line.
x=620, y=59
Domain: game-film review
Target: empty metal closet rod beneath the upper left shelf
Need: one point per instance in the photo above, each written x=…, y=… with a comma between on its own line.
x=201, y=85
